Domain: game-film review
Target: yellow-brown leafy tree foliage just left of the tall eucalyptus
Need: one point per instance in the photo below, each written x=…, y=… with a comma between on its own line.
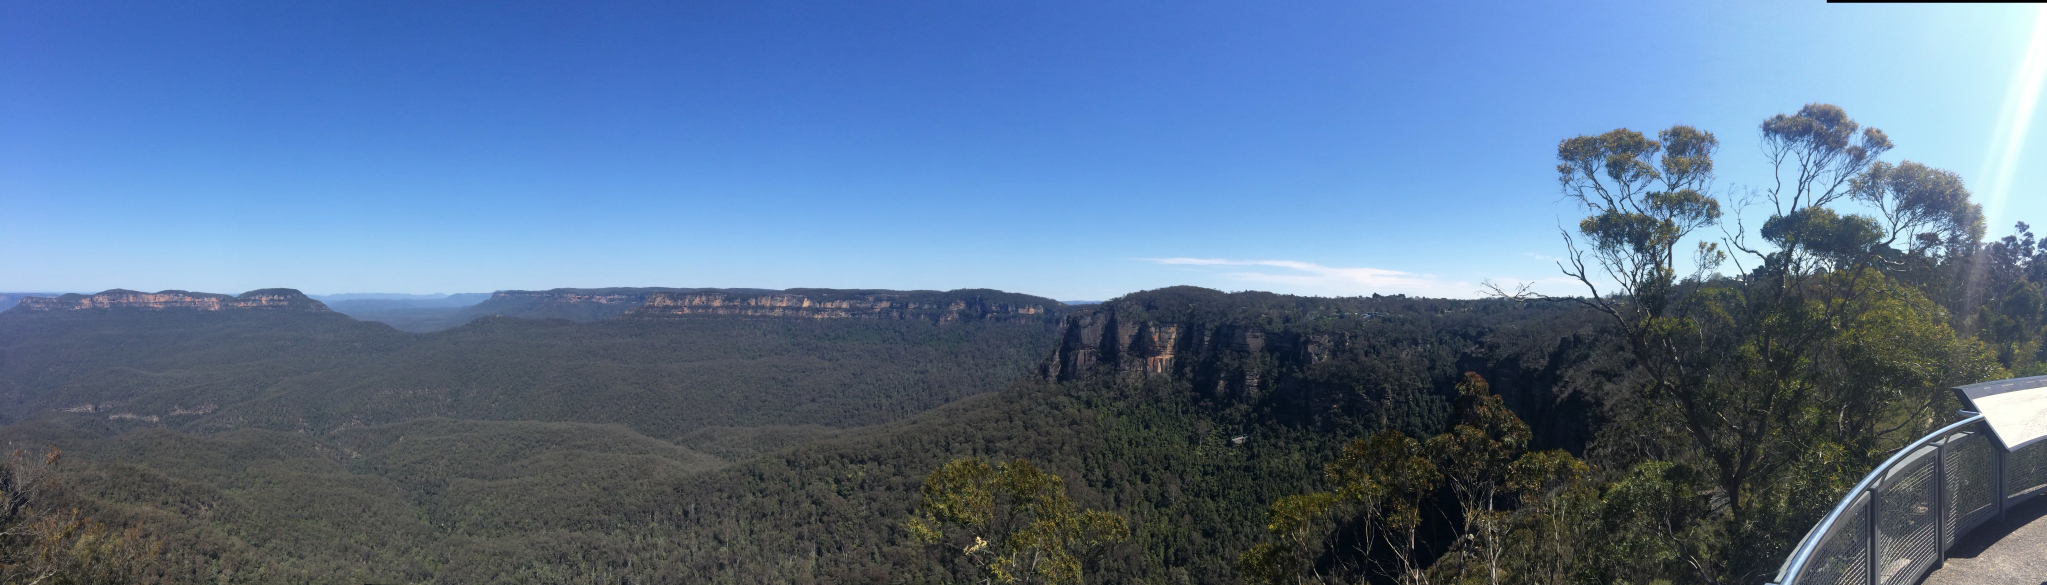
x=1522, y=512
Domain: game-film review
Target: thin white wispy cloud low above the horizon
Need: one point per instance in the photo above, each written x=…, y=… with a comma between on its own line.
x=1336, y=281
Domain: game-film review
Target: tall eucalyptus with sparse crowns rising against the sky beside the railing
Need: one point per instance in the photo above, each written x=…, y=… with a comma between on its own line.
x=1819, y=345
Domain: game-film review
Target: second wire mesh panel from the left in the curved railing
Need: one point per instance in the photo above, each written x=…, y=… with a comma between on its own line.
x=1907, y=523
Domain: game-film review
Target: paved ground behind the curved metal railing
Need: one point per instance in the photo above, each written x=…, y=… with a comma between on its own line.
x=2011, y=553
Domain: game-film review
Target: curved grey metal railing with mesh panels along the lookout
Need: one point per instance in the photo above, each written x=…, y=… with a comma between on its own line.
x=1899, y=525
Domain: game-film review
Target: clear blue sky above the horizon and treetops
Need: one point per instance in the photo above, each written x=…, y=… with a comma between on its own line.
x=1076, y=150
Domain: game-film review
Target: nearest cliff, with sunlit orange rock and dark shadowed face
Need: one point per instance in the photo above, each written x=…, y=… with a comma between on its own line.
x=1323, y=363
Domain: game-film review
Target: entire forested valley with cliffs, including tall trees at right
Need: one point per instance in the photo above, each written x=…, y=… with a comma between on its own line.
x=1684, y=418
